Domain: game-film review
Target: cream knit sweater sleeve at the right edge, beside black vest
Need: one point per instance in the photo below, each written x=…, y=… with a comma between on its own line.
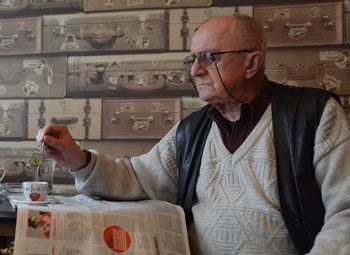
x=332, y=170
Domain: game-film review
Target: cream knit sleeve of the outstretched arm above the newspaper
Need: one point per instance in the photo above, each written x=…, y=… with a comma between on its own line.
x=149, y=176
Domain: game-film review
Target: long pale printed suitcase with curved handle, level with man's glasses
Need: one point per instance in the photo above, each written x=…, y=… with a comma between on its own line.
x=134, y=75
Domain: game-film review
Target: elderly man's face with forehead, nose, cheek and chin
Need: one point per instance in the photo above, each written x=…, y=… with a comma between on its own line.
x=230, y=66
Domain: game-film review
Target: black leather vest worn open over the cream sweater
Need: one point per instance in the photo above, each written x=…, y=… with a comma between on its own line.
x=296, y=113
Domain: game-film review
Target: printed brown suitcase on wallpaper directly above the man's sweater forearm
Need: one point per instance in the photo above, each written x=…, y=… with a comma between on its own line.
x=139, y=118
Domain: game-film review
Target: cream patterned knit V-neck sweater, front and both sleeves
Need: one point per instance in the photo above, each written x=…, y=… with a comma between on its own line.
x=237, y=211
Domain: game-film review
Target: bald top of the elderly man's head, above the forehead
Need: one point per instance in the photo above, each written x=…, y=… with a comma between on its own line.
x=239, y=31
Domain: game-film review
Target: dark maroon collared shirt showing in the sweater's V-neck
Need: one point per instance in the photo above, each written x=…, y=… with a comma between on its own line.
x=234, y=134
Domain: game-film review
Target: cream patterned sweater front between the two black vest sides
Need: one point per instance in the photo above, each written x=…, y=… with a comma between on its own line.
x=237, y=211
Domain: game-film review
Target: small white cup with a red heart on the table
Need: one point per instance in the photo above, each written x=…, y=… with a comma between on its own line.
x=35, y=191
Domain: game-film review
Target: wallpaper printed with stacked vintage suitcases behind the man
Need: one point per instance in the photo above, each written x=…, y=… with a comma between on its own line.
x=112, y=71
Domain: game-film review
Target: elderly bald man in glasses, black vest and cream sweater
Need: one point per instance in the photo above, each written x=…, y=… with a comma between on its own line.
x=262, y=169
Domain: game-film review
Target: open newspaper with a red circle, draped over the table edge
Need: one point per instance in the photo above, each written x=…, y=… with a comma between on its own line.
x=85, y=226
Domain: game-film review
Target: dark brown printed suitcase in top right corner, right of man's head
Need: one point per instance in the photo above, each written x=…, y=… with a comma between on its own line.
x=302, y=24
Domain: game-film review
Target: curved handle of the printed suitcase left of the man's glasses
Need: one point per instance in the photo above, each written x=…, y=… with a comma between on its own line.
x=139, y=83
